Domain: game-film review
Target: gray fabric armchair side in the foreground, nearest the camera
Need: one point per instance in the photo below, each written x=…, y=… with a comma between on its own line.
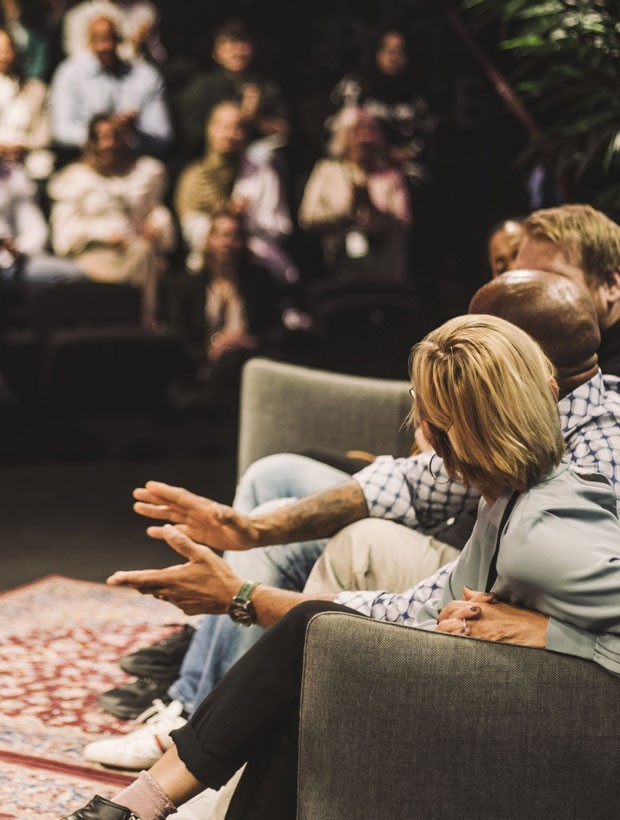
x=402, y=724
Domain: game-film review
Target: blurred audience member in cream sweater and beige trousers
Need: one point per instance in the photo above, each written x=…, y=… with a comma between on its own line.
x=108, y=214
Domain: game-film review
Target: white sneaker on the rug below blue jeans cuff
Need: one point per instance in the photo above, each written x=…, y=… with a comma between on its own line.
x=144, y=746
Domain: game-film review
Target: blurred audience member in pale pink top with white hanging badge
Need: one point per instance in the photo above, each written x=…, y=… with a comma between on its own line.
x=358, y=204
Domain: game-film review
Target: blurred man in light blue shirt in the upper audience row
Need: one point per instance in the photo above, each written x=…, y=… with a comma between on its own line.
x=99, y=82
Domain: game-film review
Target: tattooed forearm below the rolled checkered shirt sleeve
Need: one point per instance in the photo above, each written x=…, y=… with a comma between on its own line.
x=317, y=516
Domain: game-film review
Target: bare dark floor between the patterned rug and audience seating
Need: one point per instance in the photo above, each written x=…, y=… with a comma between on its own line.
x=66, y=485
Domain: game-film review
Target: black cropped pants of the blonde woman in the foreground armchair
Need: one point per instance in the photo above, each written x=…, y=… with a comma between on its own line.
x=252, y=716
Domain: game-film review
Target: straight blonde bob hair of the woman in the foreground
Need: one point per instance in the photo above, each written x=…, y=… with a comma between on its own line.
x=485, y=387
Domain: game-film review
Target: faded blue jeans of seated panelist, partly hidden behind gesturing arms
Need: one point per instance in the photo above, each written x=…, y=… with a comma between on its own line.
x=218, y=642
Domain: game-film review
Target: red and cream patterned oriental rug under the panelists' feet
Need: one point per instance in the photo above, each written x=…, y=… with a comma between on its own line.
x=60, y=641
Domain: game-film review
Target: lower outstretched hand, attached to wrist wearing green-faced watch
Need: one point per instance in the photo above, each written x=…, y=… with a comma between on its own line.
x=203, y=584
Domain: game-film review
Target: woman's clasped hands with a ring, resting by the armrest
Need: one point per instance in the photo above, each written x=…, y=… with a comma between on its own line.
x=480, y=615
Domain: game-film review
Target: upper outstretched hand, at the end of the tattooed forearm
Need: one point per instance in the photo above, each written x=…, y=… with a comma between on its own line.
x=202, y=519
